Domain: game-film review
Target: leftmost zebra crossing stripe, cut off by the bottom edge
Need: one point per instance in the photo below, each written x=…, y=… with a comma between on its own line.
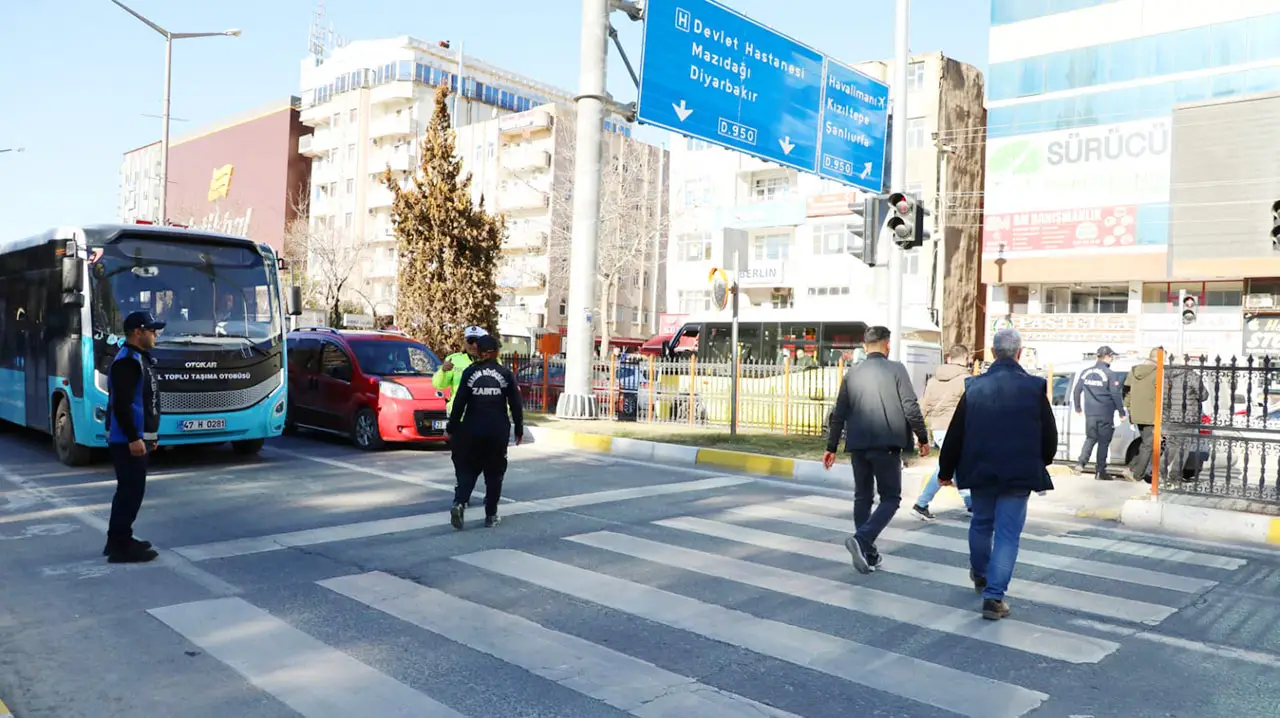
x=310, y=678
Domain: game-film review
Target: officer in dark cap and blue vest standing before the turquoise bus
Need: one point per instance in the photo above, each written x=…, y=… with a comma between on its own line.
x=132, y=426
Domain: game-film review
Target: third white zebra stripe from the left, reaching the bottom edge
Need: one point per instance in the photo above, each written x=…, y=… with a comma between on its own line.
x=935, y=685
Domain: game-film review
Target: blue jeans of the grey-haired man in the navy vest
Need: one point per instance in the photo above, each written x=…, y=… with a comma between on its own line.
x=994, y=536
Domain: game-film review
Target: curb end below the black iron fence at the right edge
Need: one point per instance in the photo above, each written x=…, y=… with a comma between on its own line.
x=1201, y=522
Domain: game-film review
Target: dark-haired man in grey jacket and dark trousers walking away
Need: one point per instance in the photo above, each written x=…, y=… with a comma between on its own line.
x=879, y=410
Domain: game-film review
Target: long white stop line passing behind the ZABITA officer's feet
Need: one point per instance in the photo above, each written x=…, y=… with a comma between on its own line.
x=386, y=527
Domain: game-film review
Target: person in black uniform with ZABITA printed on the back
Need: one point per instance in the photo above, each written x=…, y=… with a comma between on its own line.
x=479, y=427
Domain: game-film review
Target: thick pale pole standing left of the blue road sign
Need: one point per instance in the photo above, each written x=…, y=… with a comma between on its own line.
x=578, y=403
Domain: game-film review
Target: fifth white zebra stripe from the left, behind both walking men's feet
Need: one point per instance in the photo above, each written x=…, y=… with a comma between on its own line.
x=1048, y=594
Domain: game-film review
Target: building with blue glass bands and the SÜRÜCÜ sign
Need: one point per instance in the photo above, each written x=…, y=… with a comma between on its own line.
x=1128, y=163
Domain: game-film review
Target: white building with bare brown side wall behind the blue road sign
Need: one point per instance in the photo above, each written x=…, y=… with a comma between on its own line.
x=799, y=237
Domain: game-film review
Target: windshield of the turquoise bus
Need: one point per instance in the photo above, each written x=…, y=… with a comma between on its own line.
x=199, y=290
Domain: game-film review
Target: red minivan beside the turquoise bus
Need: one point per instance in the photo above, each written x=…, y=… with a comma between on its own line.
x=374, y=387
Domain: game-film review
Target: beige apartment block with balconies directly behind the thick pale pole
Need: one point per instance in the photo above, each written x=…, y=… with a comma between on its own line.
x=523, y=164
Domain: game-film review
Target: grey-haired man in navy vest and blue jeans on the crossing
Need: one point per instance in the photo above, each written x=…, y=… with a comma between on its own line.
x=999, y=445
